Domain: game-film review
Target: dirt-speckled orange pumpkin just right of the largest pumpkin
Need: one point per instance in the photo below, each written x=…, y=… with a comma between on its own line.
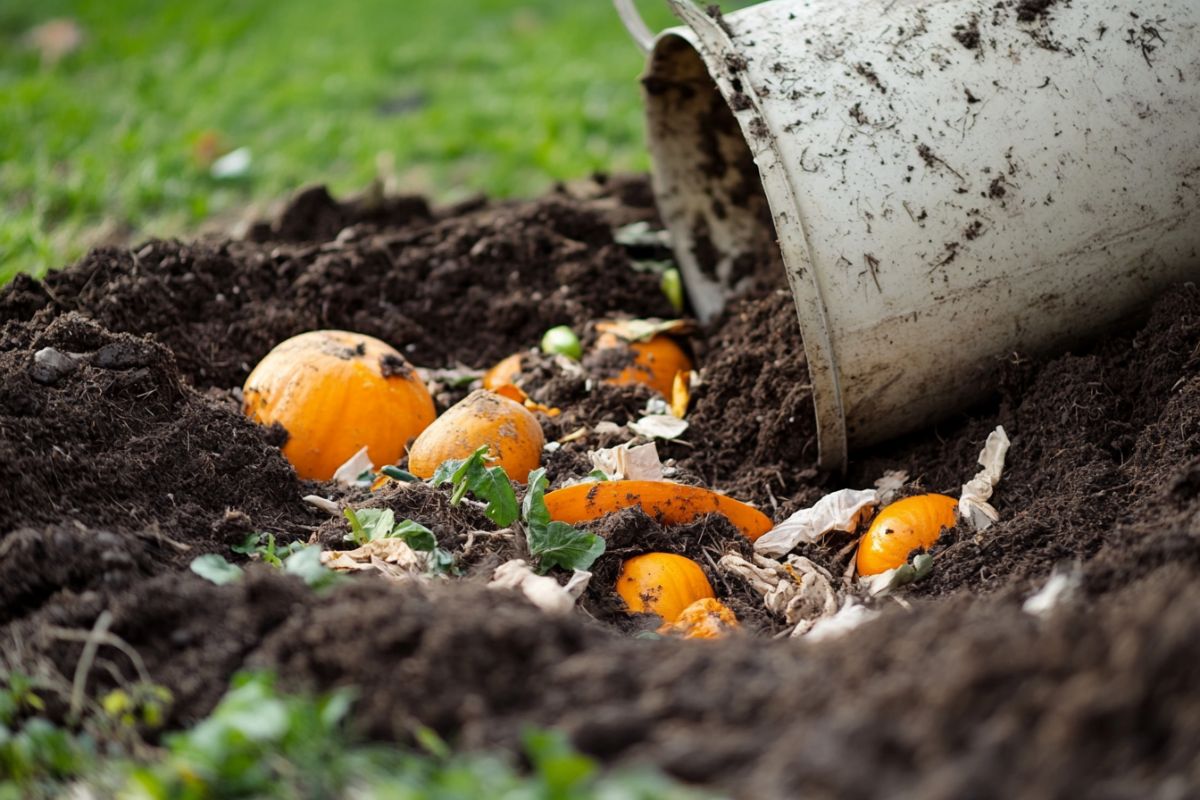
x=513, y=435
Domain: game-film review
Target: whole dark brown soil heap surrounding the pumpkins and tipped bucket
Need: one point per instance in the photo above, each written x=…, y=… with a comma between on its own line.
x=129, y=458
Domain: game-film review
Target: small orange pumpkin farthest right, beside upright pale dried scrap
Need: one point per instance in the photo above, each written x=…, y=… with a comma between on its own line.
x=901, y=528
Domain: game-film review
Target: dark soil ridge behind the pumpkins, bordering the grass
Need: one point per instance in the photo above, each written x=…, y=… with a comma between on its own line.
x=512, y=269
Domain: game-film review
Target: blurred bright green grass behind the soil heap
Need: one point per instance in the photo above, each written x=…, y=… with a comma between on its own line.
x=116, y=139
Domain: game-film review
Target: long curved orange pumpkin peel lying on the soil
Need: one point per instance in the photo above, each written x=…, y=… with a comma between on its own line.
x=670, y=504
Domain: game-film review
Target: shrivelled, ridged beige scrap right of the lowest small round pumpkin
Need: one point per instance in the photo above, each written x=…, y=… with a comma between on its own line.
x=797, y=590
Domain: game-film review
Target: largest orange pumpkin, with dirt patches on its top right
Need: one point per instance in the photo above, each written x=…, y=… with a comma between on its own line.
x=335, y=393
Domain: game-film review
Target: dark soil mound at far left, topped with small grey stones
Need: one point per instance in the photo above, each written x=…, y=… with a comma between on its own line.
x=99, y=429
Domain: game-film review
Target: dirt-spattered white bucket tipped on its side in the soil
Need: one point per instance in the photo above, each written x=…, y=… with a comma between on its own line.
x=950, y=181
